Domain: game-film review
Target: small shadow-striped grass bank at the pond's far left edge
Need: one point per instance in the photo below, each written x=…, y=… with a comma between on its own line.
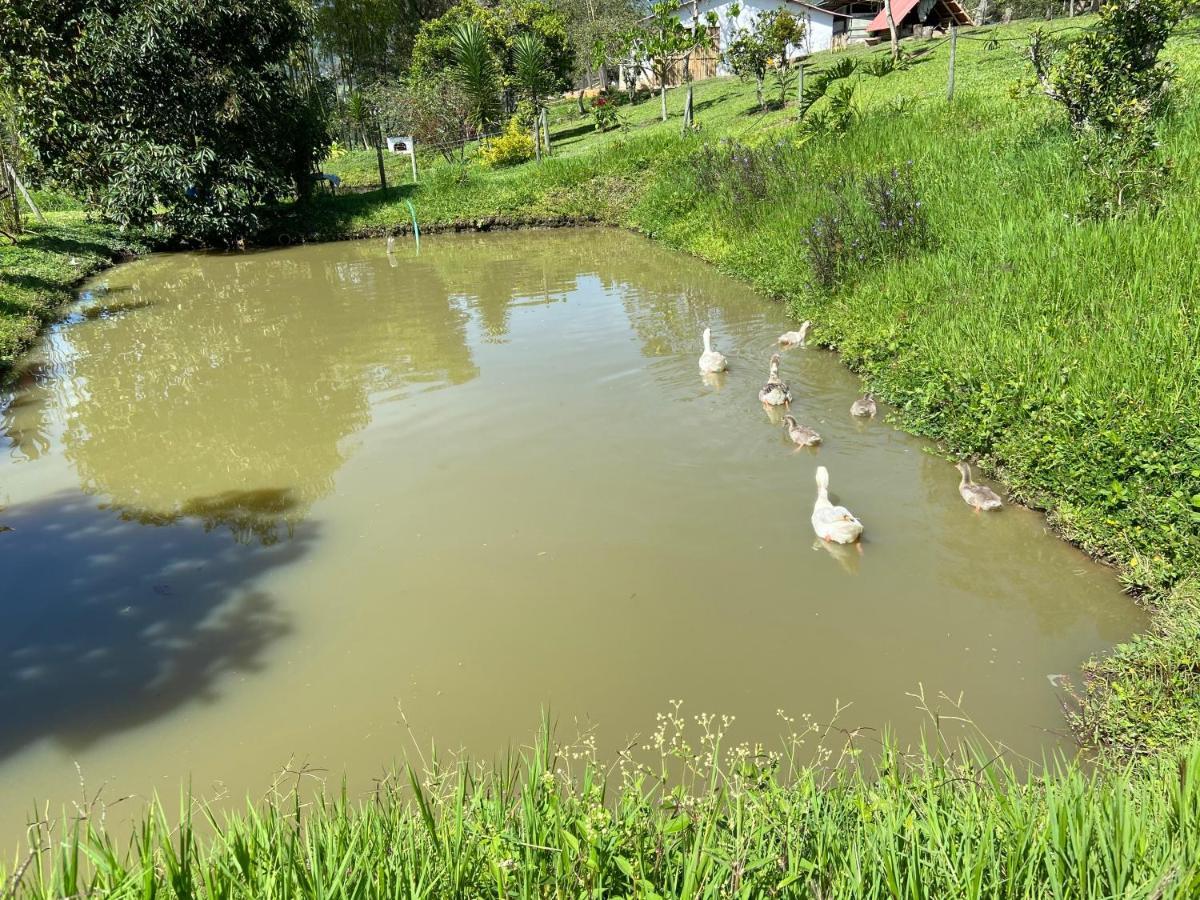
x=38, y=273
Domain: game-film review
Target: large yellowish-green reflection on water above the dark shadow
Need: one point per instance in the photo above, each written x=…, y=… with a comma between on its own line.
x=272, y=374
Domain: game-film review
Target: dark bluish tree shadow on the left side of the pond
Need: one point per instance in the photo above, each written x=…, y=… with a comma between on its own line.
x=111, y=623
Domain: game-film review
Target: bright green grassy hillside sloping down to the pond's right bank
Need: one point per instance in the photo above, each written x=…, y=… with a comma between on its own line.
x=1060, y=351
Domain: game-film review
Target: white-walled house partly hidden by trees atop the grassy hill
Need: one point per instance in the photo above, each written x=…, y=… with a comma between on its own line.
x=823, y=29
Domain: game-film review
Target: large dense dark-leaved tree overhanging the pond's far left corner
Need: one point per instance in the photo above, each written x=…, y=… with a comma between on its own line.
x=191, y=106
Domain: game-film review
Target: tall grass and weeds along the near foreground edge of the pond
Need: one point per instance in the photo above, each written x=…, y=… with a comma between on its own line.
x=687, y=818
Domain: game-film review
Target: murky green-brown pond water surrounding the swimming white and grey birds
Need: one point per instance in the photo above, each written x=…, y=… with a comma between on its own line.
x=256, y=501
